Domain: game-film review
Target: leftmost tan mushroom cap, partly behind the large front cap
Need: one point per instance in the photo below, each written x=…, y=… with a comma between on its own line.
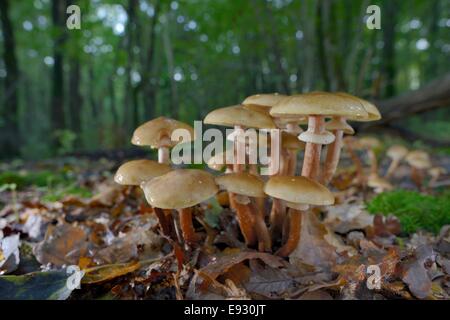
x=135, y=172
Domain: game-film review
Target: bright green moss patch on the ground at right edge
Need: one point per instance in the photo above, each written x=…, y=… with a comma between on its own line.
x=415, y=210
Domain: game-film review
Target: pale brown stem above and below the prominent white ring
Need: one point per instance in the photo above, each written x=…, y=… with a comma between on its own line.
x=311, y=162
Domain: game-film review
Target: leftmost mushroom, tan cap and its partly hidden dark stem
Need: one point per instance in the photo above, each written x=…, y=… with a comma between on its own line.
x=136, y=172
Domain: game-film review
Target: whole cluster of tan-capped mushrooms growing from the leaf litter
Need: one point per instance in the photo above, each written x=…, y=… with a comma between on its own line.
x=289, y=191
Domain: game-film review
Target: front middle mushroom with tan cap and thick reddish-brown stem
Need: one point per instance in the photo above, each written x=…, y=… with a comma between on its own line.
x=246, y=188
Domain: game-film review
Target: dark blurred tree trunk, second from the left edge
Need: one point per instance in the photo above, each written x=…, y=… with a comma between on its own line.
x=57, y=101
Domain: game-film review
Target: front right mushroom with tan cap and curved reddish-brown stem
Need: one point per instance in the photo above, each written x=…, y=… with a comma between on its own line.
x=298, y=193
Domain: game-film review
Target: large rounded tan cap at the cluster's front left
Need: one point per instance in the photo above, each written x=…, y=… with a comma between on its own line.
x=181, y=188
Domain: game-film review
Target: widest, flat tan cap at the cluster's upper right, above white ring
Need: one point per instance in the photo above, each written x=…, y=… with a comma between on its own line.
x=319, y=103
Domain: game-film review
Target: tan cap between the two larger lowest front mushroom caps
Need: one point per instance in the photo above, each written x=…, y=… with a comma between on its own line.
x=242, y=183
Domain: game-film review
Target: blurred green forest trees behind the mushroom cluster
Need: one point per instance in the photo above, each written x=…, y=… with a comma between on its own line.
x=78, y=90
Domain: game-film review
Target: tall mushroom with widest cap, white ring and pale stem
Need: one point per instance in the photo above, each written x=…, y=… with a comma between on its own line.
x=316, y=106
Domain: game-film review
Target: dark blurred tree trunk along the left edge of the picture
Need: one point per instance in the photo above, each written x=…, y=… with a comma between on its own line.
x=9, y=134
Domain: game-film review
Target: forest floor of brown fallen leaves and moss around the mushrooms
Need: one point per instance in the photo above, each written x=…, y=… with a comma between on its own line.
x=69, y=212
